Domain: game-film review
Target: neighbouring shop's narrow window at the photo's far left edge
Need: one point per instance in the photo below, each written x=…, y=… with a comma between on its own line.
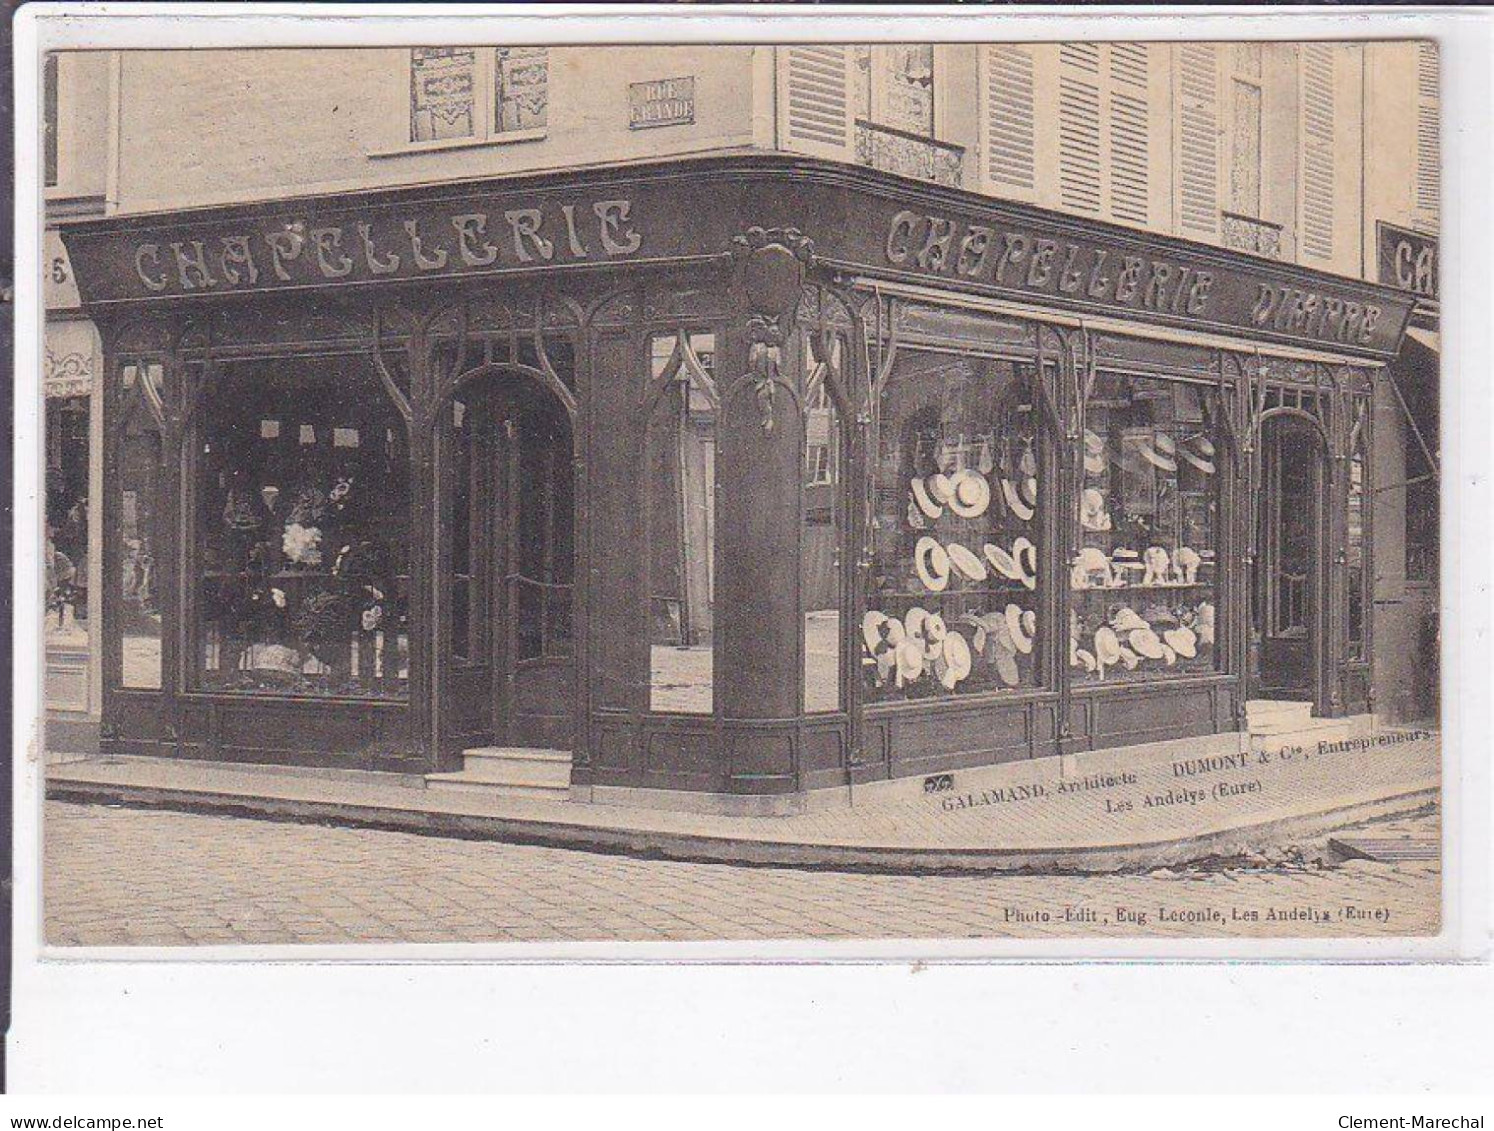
x=68, y=521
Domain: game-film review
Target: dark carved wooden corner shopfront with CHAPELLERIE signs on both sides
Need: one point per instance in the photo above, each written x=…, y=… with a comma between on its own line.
x=739, y=477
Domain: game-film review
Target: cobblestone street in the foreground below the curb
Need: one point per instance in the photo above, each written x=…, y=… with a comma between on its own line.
x=126, y=878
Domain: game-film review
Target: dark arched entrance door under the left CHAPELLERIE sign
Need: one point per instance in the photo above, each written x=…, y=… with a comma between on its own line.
x=533, y=571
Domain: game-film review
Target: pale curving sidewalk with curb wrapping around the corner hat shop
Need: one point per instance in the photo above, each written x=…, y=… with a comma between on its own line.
x=1076, y=815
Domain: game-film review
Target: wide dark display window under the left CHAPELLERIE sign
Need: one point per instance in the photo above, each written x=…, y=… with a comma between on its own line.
x=303, y=482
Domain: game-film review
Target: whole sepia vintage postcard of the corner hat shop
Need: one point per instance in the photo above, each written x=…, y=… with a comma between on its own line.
x=822, y=491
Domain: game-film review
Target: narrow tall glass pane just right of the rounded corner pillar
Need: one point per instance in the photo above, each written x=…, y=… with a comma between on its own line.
x=821, y=534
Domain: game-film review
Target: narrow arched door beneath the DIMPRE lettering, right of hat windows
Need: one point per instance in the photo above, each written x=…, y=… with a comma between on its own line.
x=1287, y=598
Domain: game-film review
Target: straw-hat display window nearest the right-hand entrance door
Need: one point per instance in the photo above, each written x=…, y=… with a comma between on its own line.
x=1145, y=580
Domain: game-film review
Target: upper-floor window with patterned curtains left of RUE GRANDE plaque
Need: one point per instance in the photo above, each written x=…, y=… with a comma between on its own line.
x=479, y=93
